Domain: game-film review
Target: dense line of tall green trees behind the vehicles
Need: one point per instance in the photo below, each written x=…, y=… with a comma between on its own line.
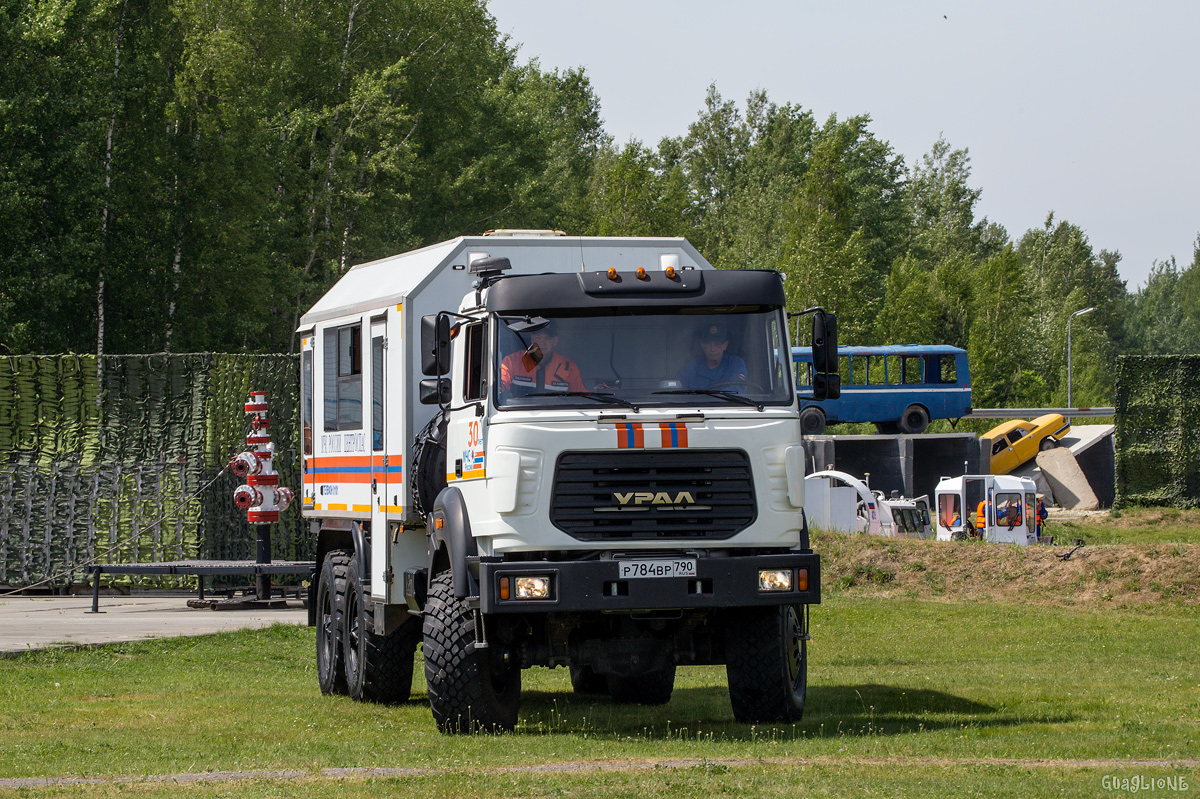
x=191, y=176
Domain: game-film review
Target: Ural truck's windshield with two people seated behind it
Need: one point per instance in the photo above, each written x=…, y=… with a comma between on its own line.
x=693, y=357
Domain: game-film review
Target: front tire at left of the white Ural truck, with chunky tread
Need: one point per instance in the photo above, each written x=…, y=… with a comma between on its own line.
x=469, y=690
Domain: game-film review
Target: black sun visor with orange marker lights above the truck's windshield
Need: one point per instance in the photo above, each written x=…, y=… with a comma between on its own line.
x=597, y=290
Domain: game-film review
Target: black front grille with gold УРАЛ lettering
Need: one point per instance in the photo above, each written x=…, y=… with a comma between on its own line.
x=653, y=495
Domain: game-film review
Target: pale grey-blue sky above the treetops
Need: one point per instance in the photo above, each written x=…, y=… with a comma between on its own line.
x=1088, y=110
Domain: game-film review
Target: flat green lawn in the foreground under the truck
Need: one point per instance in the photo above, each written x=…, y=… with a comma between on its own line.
x=907, y=698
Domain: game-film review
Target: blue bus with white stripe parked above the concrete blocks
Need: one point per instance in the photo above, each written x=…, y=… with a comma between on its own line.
x=899, y=388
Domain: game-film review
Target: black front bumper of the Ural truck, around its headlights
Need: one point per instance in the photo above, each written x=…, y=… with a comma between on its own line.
x=583, y=586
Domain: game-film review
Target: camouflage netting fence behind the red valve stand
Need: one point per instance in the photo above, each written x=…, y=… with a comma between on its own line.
x=97, y=458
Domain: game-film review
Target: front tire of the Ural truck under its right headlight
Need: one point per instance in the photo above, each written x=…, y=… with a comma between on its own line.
x=767, y=664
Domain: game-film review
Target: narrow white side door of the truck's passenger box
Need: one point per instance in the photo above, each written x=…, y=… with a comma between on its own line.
x=381, y=467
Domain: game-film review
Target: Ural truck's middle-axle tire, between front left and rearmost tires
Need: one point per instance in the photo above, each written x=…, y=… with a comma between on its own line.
x=379, y=669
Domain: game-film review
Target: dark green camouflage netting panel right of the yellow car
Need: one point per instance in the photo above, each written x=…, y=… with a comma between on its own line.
x=1159, y=431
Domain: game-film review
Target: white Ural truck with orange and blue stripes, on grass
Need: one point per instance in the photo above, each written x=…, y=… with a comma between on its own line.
x=610, y=516
